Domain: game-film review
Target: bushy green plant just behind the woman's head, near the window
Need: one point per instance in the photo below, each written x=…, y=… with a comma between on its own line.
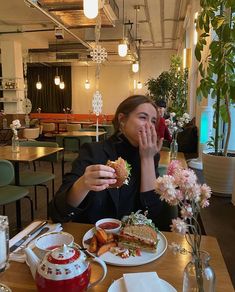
x=171, y=86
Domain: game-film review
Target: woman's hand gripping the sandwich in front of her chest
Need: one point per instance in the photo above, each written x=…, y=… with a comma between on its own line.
x=98, y=177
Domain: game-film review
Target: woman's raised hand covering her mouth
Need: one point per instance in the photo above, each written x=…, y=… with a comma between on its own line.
x=149, y=145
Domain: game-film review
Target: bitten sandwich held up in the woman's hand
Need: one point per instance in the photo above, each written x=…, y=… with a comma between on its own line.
x=122, y=170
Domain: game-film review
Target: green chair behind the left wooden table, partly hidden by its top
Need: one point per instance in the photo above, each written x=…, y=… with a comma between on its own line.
x=40, y=178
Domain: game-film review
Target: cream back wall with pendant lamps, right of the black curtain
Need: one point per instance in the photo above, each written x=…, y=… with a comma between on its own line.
x=116, y=81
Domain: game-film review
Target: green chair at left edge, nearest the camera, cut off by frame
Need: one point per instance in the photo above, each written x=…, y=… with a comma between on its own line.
x=9, y=193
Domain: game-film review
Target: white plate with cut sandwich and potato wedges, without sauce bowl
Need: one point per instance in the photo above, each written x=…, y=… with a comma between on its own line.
x=137, y=243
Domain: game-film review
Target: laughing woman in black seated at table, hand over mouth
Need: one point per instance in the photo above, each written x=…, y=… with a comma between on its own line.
x=85, y=195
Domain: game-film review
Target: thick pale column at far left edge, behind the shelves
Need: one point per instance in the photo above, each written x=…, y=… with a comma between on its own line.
x=12, y=67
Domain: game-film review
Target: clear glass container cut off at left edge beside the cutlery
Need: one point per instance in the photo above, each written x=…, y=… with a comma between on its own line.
x=4, y=250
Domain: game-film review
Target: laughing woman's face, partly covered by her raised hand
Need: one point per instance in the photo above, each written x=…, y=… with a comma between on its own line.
x=131, y=125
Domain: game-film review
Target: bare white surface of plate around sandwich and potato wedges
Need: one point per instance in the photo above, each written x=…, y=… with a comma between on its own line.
x=146, y=257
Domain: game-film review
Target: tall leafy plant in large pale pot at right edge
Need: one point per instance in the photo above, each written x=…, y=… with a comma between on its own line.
x=217, y=23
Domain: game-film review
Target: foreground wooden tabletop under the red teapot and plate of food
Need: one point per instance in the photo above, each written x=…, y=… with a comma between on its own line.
x=169, y=266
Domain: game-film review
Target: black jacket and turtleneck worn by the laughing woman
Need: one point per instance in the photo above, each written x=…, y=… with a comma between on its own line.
x=113, y=202
